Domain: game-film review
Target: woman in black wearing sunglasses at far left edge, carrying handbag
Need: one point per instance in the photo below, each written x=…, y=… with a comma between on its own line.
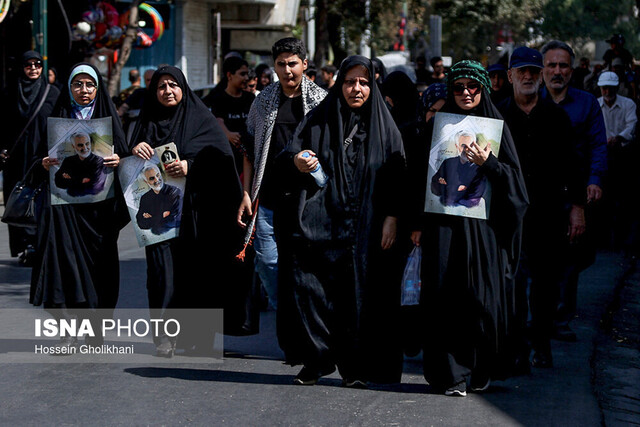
x=20, y=103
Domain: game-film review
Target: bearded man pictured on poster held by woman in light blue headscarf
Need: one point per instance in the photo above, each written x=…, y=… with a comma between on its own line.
x=83, y=173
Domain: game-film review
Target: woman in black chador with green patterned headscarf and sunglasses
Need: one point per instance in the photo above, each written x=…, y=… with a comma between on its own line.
x=469, y=265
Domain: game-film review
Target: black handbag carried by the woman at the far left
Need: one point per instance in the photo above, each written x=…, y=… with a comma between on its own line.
x=20, y=207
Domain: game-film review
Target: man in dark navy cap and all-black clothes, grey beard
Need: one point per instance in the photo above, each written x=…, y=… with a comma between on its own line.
x=539, y=125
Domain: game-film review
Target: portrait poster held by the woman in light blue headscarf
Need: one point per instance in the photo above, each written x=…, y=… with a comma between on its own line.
x=79, y=146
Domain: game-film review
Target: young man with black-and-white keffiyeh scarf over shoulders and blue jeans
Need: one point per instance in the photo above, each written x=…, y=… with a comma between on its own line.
x=289, y=56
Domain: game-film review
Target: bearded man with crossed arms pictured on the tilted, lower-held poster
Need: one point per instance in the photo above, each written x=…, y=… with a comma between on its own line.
x=160, y=207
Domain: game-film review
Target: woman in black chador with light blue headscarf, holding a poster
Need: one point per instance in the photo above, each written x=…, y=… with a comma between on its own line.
x=77, y=258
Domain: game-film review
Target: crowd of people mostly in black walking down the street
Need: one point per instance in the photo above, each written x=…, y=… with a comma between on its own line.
x=317, y=183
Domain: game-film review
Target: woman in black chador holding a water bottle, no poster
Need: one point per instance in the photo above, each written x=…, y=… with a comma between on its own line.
x=340, y=274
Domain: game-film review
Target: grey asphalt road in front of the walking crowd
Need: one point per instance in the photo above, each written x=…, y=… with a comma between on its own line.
x=253, y=387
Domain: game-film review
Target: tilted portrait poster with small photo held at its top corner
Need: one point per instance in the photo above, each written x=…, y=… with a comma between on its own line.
x=153, y=197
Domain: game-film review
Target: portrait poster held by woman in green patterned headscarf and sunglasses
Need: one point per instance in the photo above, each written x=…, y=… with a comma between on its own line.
x=456, y=186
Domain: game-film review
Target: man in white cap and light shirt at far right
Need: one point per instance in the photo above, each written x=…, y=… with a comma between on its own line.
x=620, y=121
